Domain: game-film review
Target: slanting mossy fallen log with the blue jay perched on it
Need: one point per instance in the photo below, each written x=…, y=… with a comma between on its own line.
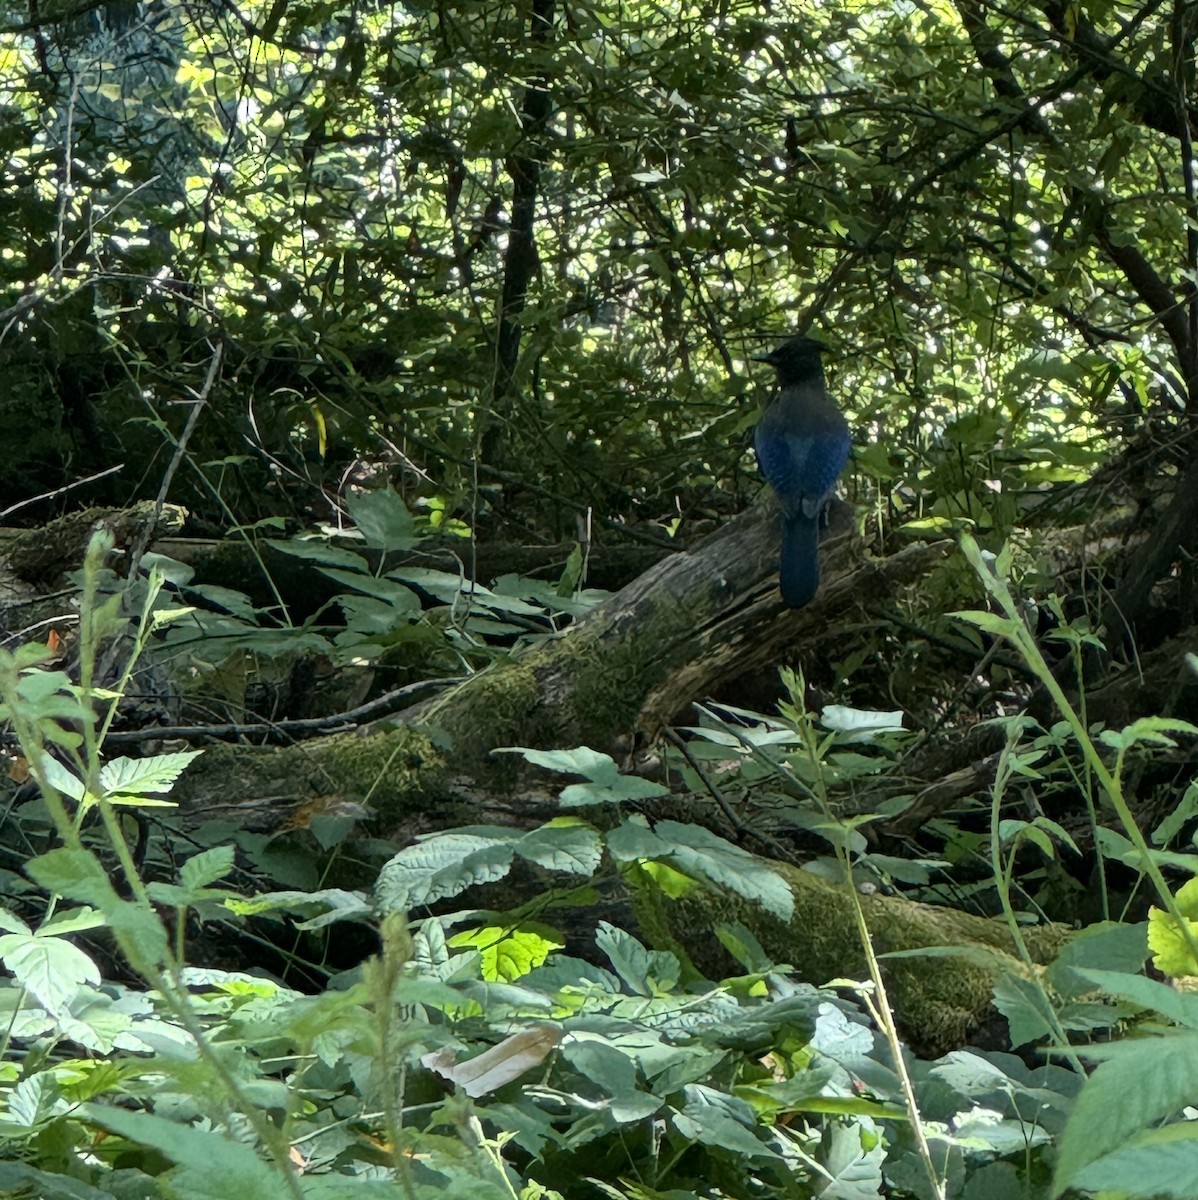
x=670, y=638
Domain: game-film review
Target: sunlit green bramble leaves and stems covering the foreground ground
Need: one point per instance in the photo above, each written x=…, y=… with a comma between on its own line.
x=472, y=1055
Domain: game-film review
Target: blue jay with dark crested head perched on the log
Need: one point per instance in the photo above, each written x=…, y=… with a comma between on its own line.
x=802, y=443
